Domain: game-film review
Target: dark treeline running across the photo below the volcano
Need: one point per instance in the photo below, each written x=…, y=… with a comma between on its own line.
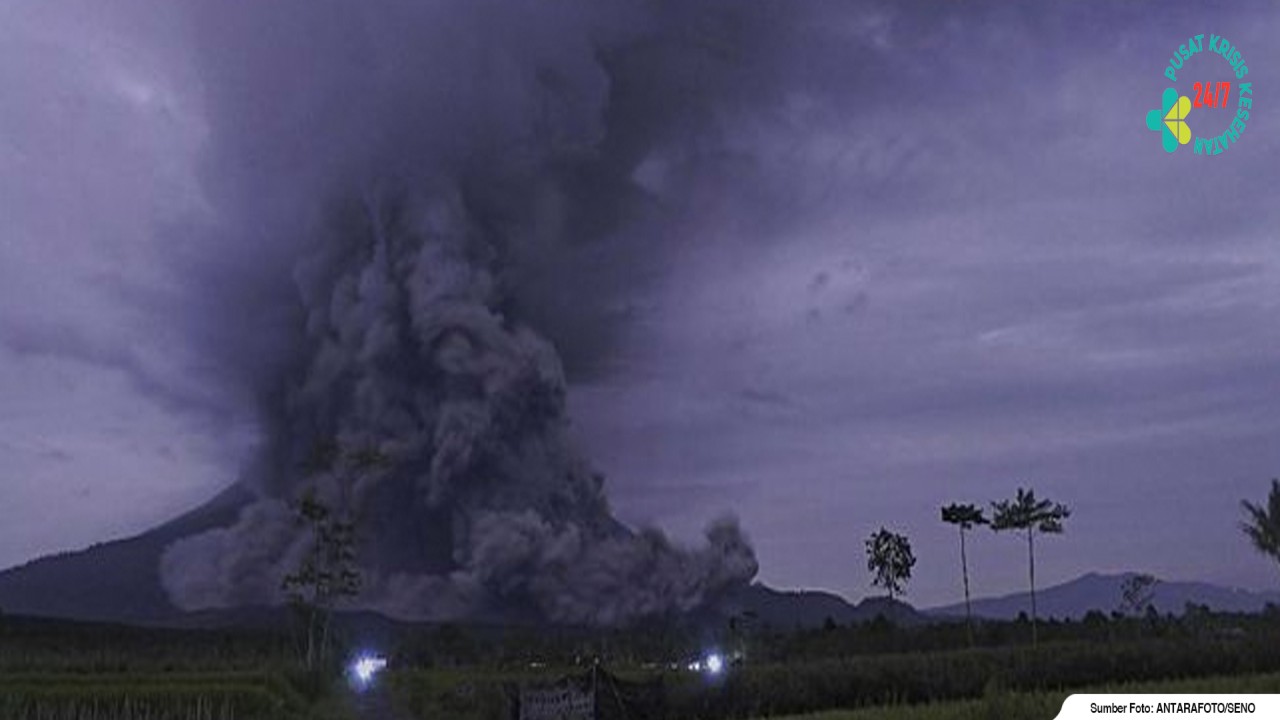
x=29, y=644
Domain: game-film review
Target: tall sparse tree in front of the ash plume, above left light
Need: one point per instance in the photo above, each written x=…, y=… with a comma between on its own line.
x=328, y=572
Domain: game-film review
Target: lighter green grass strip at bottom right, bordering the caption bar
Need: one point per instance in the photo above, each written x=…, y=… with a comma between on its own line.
x=1036, y=707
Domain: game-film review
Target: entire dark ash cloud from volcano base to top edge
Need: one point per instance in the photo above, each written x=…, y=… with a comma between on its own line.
x=436, y=181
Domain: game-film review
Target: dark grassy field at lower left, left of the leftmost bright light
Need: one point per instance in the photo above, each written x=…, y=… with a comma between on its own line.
x=56, y=671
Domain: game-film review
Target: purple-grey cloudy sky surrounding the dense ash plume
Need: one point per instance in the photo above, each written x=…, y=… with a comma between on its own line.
x=872, y=259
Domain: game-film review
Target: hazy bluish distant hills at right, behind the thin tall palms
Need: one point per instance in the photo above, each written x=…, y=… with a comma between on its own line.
x=1100, y=593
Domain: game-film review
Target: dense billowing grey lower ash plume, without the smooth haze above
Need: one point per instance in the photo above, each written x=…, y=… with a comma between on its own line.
x=483, y=508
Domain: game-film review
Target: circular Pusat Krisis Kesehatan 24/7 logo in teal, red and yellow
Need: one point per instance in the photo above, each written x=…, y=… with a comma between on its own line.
x=1218, y=93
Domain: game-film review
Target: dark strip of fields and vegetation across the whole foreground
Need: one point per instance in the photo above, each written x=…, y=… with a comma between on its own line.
x=53, y=671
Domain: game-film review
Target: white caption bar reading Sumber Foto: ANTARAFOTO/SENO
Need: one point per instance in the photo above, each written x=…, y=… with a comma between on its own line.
x=1160, y=707
